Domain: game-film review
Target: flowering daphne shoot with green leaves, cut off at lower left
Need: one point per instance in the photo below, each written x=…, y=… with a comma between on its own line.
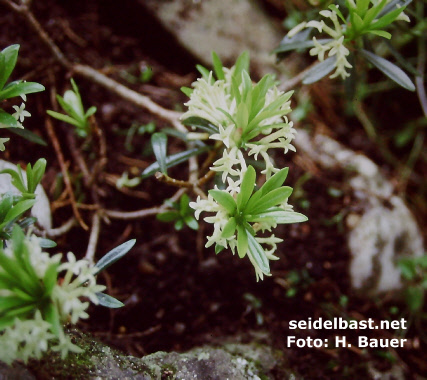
x=39, y=295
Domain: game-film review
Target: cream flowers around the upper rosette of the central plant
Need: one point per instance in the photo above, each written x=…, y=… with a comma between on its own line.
x=213, y=101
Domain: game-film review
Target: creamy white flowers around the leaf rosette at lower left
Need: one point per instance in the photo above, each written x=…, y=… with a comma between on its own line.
x=30, y=337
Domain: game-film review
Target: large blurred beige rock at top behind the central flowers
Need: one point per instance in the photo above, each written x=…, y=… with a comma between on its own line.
x=227, y=27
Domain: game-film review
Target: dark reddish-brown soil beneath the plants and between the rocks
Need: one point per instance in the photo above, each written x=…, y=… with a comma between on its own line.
x=177, y=294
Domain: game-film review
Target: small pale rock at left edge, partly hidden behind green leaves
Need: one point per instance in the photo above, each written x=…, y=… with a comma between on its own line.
x=41, y=209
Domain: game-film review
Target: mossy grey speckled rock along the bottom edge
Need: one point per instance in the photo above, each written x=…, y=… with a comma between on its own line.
x=230, y=361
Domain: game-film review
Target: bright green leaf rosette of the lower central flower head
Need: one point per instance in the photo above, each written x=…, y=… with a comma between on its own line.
x=255, y=207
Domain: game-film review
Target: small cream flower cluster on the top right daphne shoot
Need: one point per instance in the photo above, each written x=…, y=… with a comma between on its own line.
x=335, y=47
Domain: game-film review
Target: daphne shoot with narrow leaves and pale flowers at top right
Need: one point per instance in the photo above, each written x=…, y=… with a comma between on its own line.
x=346, y=39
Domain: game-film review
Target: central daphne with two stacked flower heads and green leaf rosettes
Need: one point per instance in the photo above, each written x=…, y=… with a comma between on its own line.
x=242, y=119
